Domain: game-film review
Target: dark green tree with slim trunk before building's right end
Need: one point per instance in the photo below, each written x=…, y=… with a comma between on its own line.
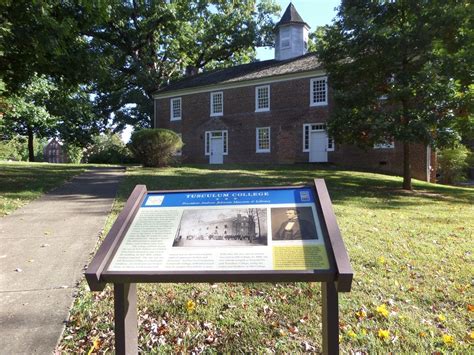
x=391, y=68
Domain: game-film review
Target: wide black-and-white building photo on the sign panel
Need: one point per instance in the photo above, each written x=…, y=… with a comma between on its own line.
x=222, y=228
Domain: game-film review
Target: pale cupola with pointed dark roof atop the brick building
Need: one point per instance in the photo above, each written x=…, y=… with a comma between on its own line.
x=291, y=38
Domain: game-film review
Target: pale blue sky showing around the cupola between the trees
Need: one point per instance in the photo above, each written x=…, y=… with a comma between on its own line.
x=314, y=12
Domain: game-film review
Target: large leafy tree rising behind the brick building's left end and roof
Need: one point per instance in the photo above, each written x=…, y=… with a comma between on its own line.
x=139, y=46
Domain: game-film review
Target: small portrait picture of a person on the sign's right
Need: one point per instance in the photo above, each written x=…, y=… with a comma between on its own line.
x=293, y=223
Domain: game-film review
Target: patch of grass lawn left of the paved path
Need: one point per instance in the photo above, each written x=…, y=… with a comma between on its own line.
x=21, y=183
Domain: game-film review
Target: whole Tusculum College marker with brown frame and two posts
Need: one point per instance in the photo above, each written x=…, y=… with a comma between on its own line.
x=254, y=234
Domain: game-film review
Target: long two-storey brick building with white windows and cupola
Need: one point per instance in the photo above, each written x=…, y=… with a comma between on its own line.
x=273, y=111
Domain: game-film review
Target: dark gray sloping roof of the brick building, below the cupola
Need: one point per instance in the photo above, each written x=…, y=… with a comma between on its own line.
x=245, y=72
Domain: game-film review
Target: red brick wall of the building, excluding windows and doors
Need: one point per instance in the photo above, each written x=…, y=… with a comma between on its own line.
x=289, y=110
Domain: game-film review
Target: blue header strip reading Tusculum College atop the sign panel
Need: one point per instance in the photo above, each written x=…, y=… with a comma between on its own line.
x=230, y=198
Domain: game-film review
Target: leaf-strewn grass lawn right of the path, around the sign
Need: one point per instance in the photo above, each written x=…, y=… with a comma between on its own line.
x=412, y=291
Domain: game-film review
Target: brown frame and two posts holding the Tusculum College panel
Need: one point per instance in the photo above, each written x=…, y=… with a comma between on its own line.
x=335, y=277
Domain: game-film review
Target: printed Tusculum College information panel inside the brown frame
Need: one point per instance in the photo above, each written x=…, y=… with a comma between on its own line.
x=224, y=230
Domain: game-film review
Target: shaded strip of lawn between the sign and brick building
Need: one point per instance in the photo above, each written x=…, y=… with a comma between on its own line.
x=374, y=190
